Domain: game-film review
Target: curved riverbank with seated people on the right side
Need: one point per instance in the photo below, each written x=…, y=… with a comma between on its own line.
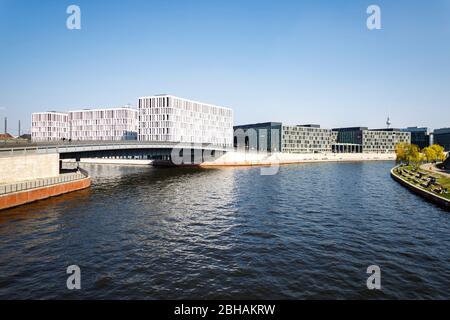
x=419, y=184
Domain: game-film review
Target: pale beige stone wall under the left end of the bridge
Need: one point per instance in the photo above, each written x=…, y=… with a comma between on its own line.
x=16, y=168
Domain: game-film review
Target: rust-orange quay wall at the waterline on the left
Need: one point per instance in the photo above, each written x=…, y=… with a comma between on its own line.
x=19, y=198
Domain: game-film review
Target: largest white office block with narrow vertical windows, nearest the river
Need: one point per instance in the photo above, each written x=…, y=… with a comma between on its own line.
x=173, y=119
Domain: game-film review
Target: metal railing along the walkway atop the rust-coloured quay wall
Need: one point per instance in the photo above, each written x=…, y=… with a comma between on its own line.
x=39, y=183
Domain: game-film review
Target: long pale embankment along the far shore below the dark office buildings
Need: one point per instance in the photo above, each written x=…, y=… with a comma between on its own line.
x=255, y=159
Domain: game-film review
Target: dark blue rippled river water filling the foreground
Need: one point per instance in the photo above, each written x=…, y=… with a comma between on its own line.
x=308, y=232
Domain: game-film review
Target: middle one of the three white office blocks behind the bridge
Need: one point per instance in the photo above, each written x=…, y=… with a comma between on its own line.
x=111, y=124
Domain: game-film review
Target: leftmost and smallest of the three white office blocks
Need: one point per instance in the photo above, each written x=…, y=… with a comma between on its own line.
x=49, y=126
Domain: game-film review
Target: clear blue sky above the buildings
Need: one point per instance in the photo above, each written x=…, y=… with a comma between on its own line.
x=292, y=61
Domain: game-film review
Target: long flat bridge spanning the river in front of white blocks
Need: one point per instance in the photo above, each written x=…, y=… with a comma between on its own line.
x=187, y=153
